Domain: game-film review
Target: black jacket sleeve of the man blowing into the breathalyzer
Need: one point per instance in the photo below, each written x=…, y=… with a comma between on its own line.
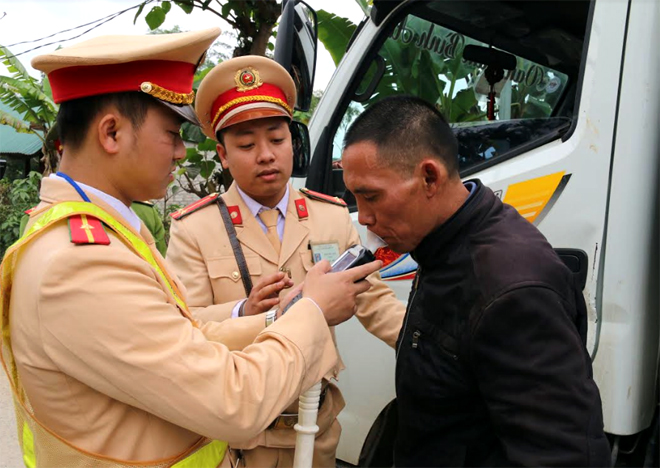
x=535, y=376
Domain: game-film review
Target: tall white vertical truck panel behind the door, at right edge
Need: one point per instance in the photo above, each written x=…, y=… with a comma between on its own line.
x=626, y=364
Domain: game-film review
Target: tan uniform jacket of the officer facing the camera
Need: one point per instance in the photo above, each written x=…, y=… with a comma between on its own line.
x=202, y=257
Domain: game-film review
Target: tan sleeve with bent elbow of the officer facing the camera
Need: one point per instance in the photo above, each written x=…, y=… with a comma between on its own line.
x=185, y=256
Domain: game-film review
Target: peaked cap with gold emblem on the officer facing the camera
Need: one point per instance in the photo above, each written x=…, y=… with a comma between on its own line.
x=244, y=88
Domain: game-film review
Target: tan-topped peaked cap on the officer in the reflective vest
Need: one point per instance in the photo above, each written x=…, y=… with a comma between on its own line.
x=161, y=65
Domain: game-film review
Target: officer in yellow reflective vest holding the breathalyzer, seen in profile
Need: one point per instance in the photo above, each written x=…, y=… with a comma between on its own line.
x=107, y=365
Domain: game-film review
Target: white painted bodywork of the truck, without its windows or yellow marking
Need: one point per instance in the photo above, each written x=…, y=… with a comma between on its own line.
x=608, y=208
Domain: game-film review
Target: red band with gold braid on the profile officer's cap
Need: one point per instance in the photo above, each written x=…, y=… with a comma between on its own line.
x=169, y=80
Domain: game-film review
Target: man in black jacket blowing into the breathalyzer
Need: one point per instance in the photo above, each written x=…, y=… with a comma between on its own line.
x=492, y=368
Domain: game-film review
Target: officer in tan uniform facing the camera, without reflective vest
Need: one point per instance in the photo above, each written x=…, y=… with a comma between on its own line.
x=246, y=105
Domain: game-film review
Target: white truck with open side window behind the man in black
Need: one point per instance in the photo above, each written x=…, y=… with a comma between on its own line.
x=573, y=144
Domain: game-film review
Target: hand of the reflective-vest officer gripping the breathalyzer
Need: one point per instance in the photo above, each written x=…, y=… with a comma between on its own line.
x=335, y=293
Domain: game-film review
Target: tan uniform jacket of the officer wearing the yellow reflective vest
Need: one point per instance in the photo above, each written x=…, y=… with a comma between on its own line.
x=109, y=362
